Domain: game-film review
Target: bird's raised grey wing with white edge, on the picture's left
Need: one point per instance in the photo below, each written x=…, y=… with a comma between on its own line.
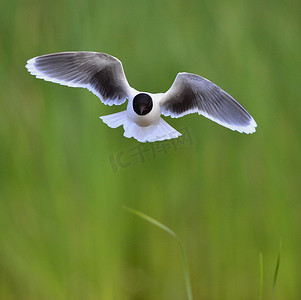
x=100, y=73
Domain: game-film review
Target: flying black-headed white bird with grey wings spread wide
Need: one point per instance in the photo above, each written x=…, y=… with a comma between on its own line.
x=103, y=75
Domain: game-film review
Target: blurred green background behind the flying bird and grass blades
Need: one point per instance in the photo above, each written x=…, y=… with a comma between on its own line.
x=229, y=196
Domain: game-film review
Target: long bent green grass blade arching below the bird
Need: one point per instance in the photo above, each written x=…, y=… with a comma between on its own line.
x=172, y=233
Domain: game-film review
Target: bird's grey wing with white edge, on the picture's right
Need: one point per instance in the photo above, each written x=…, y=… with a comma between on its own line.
x=192, y=93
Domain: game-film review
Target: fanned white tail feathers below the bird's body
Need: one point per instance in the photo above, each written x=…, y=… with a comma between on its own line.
x=156, y=132
